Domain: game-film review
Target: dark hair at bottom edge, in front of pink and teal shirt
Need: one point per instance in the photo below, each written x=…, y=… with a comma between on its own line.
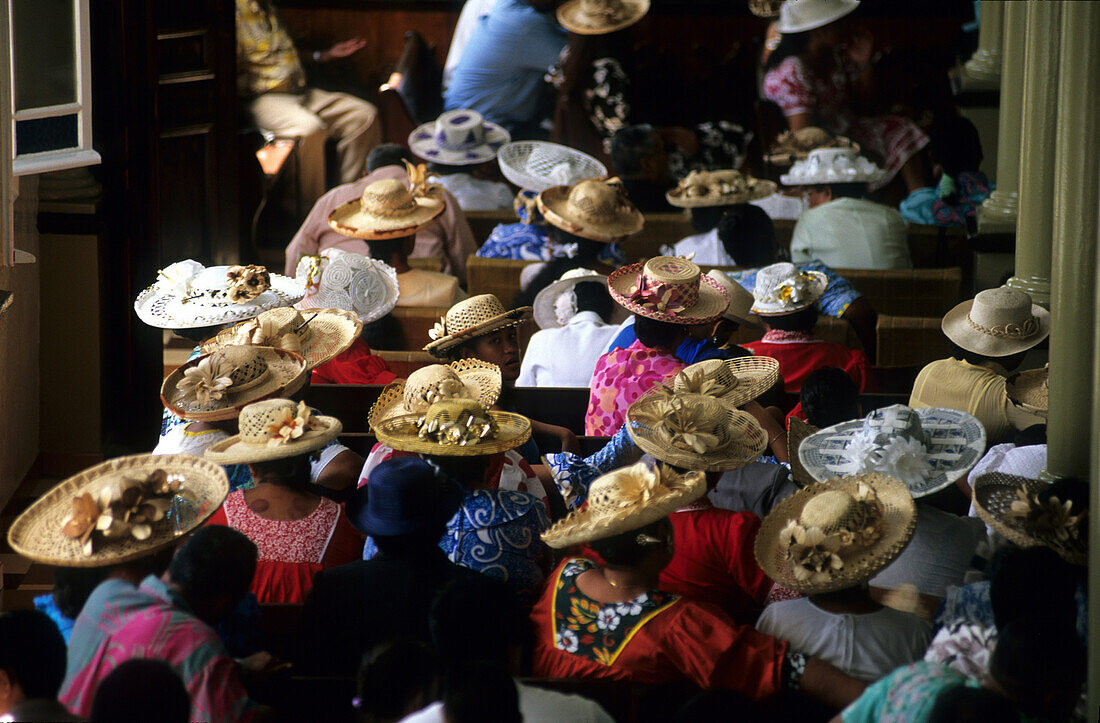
x=142, y=689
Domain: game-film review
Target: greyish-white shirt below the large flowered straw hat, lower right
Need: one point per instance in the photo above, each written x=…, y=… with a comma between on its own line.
x=866, y=647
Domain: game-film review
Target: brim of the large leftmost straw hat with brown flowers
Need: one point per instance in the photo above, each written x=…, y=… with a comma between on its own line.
x=37, y=534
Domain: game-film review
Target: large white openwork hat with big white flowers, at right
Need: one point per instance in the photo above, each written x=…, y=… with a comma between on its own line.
x=928, y=450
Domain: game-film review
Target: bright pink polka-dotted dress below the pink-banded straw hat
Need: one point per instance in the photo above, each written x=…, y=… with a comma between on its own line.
x=621, y=377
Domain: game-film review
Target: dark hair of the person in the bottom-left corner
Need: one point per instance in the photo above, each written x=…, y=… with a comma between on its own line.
x=32, y=652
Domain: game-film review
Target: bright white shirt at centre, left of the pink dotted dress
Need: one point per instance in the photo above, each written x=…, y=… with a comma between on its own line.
x=567, y=356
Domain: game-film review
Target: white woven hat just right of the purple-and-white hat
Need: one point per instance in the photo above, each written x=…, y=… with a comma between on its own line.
x=537, y=166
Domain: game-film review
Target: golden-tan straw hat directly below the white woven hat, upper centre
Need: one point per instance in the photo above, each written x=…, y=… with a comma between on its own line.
x=591, y=210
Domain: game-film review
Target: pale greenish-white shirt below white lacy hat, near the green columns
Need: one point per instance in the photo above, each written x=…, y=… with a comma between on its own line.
x=852, y=234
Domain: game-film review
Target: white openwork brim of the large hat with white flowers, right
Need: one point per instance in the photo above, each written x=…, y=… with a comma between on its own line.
x=958, y=442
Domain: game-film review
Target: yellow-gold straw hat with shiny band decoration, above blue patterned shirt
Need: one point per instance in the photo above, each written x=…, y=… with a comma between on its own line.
x=455, y=428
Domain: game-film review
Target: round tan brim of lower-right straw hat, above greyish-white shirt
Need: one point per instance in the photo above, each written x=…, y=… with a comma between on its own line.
x=899, y=521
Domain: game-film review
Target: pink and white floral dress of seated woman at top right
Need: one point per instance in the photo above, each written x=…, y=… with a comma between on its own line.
x=797, y=91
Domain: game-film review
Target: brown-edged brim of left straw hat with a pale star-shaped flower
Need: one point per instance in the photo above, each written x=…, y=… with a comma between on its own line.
x=288, y=374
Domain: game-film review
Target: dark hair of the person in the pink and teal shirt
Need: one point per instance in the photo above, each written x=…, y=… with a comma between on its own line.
x=215, y=562
